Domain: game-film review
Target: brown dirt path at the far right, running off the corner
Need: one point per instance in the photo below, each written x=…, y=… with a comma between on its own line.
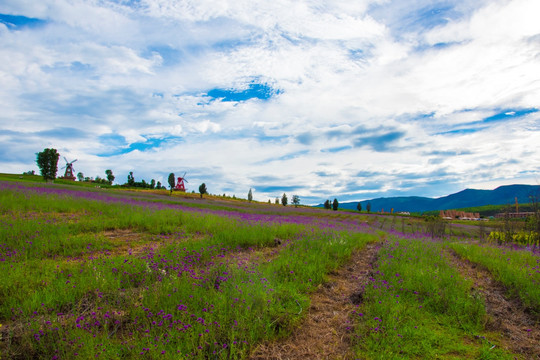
x=520, y=329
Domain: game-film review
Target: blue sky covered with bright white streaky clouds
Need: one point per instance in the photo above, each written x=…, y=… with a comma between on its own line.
x=342, y=99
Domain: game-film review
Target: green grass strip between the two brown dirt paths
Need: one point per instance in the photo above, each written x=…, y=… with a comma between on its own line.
x=416, y=306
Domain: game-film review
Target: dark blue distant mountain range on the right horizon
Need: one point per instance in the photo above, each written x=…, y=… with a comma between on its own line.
x=467, y=198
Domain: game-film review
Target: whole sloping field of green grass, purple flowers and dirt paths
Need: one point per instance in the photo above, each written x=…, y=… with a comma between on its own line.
x=115, y=274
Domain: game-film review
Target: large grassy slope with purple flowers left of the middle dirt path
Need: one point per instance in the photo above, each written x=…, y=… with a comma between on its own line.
x=184, y=294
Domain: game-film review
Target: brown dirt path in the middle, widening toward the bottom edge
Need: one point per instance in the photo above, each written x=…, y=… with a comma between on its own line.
x=326, y=330
